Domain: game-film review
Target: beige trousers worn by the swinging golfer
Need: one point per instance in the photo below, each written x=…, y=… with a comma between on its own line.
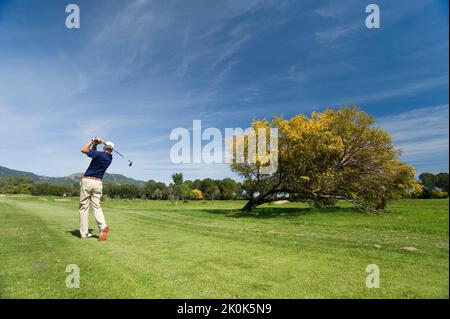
x=90, y=193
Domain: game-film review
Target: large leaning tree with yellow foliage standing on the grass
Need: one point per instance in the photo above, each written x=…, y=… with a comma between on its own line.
x=336, y=154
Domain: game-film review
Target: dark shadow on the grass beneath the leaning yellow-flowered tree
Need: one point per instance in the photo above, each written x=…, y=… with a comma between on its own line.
x=280, y=212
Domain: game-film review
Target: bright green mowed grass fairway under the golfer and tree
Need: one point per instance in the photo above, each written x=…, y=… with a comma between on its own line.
x=206, y=250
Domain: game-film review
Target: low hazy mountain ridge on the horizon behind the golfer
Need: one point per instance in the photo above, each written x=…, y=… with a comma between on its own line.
x=74, y=178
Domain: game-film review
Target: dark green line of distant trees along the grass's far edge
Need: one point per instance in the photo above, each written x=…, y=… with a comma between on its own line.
x=428, y=186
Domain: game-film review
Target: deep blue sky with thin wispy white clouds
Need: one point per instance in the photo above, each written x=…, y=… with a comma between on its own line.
x=137, y=69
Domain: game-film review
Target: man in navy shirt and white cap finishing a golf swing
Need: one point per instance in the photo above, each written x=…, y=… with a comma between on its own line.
x=92, y=187
